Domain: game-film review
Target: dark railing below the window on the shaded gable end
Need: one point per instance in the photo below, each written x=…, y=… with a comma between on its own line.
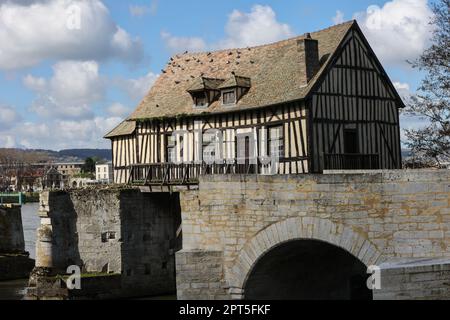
x=351, y=161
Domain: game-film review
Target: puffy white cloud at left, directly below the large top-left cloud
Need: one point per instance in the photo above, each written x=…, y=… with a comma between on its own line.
x=69, y=93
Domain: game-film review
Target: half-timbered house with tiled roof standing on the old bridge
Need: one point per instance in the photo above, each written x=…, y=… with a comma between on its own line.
x=321, y=101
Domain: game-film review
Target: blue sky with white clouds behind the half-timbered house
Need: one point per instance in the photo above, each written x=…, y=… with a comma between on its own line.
x=71, y=70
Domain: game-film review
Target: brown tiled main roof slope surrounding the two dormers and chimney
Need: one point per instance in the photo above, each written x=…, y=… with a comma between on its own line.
x=273, y=69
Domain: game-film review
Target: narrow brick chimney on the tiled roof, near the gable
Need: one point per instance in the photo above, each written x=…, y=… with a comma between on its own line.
x=309, y=55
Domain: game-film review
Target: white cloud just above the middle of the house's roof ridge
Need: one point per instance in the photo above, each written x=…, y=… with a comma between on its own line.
x=243, y=29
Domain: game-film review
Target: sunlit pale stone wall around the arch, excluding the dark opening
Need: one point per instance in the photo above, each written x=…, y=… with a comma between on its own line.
x=378, y=217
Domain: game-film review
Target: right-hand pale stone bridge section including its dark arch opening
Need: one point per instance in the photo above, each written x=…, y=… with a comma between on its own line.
x=313, y=236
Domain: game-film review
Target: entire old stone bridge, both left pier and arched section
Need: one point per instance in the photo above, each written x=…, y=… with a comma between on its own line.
x=255, y=237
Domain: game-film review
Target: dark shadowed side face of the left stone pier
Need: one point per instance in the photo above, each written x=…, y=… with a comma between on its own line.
x=149, y=224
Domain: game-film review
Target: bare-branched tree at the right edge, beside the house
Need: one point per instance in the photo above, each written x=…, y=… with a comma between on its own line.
x=432, y=100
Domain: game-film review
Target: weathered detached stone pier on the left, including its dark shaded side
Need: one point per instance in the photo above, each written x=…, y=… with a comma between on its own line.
x=111, y=231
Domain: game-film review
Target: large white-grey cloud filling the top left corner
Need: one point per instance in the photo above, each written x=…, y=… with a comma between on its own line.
x=28, y=35
